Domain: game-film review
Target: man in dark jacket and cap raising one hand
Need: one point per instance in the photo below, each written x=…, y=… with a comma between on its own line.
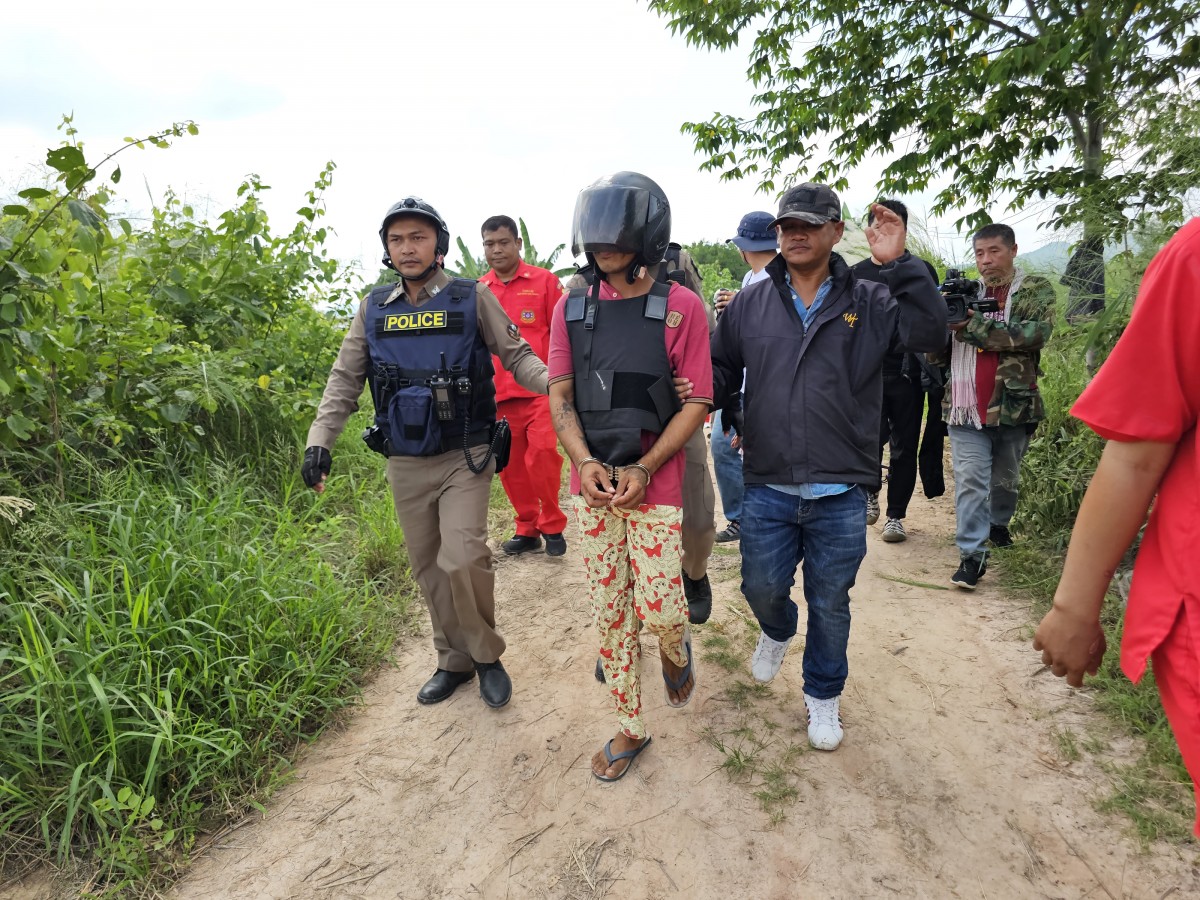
x=813, y=340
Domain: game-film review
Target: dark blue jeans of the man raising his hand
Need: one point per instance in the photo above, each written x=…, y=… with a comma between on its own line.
x=829, y=536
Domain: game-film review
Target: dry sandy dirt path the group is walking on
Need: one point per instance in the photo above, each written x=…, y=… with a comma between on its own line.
x=947, y=785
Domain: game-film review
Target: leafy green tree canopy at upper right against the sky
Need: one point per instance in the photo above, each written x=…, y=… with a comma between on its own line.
x=1091, y=104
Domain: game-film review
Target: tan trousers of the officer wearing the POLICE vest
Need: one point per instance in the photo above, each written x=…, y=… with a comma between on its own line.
x=442, y=507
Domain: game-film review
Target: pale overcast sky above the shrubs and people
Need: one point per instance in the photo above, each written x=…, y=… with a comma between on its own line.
x=479, y=107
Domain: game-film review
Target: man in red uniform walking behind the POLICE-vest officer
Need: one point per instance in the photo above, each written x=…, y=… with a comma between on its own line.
x=532, y=478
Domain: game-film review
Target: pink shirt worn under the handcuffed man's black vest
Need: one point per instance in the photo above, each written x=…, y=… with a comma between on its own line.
x=687, y=341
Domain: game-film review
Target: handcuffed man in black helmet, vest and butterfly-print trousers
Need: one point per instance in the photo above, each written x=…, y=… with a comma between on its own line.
x=614, y=352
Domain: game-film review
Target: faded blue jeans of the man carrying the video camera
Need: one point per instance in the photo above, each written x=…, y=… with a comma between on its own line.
x=987, y=472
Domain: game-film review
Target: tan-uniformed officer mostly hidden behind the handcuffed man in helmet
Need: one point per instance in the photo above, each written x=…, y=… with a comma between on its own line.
x=699, y=497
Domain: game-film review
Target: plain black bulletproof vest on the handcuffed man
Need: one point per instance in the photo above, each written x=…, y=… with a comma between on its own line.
x=623, y=380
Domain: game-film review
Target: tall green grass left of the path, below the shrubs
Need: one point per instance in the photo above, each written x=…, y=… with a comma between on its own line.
x=167, y=641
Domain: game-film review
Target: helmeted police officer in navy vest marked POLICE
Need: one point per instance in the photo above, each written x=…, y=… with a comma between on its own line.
x=425, y=346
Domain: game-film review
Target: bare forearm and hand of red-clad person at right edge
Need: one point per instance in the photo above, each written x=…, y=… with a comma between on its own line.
x=1114, y=508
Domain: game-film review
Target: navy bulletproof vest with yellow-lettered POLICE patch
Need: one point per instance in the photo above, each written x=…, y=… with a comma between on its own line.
x=412, y=347
